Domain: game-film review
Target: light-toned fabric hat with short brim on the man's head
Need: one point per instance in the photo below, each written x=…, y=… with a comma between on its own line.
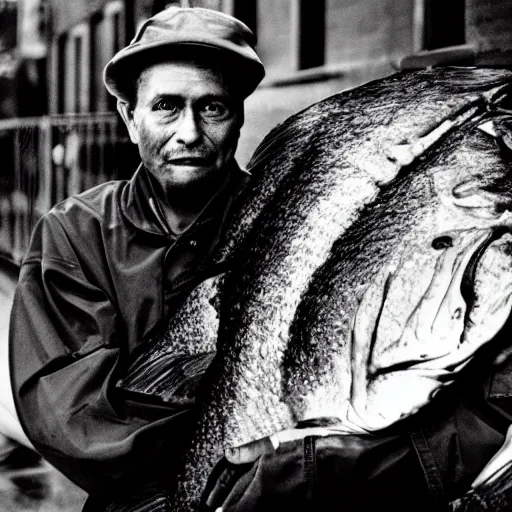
x=166, y=35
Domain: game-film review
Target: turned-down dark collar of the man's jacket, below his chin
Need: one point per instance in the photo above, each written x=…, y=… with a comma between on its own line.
x=140, y=206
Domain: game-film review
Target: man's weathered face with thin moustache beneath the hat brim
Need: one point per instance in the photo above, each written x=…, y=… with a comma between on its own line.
x=185, y=122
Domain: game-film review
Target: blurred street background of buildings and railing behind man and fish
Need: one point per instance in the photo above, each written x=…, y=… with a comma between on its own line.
x=60, y=133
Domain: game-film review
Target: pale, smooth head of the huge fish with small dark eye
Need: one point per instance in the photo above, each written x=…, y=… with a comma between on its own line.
x=447, y=295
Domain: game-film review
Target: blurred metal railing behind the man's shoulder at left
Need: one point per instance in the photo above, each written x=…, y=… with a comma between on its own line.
x=43, y=160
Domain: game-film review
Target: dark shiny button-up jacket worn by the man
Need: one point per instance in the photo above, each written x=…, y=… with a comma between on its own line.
x=102, y=272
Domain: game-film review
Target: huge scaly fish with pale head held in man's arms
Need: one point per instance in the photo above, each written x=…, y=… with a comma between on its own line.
x=369, y=262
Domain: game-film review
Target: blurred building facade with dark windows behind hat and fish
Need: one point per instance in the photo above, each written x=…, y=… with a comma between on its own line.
x=310, y=48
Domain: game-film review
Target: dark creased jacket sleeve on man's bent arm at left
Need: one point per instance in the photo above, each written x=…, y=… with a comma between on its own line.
x=65, y=357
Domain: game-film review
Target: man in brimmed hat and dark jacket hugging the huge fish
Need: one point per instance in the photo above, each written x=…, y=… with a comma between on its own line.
x=107, y=267
